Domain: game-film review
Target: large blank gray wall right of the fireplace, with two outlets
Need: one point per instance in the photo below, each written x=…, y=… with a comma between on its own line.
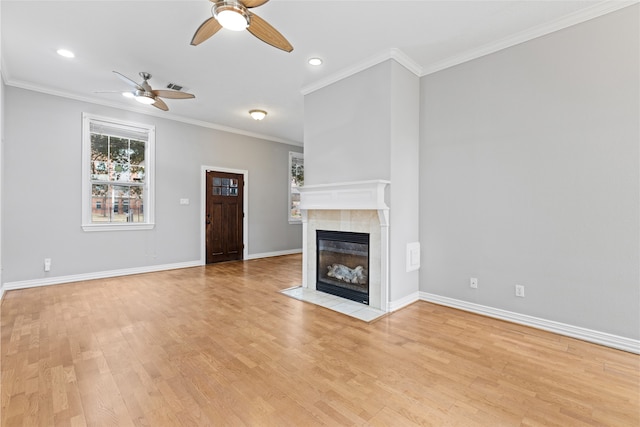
x=529, y=174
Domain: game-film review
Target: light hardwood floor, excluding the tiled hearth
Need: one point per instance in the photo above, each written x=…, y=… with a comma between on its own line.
x=219, y=345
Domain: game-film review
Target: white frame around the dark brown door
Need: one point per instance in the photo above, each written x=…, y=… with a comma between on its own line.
x=203, y=209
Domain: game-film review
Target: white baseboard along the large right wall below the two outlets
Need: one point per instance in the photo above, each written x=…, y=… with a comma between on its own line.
x=602, y=338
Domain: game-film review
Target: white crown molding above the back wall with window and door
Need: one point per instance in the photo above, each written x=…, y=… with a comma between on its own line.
x=142, y=110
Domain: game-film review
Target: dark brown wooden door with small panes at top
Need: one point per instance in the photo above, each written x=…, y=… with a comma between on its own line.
x=224, y=216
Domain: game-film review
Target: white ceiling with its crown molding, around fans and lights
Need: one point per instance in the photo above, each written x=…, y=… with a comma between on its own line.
x=232, y=73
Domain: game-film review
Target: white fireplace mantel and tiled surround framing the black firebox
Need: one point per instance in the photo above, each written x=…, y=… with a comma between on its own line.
x=351, y=206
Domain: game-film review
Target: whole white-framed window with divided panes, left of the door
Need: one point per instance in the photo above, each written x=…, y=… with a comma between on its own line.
x=117, y=174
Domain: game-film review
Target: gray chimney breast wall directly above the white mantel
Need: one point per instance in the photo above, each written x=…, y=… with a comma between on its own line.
x=347, y=129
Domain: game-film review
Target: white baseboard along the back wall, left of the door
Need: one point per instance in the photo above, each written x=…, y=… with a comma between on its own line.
x=47, y=281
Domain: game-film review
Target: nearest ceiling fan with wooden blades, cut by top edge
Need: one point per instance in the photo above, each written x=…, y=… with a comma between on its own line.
x=235, y=15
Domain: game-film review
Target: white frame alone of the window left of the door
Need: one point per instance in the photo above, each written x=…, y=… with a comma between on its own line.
x=148, y=188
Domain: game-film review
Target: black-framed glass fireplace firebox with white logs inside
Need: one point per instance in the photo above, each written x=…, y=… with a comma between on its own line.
x=343, y=264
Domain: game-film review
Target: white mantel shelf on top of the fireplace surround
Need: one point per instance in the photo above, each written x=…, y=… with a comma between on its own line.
x=359, y=195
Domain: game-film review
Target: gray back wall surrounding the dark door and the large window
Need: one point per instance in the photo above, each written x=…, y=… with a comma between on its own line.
x=41, y=196
